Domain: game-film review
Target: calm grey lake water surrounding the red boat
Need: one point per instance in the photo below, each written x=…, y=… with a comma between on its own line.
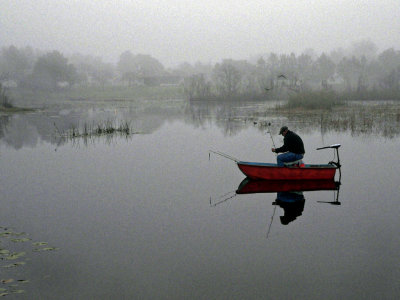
x=152, y=217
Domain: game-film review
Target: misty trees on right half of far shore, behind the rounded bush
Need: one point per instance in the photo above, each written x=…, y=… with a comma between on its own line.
x=360, y=74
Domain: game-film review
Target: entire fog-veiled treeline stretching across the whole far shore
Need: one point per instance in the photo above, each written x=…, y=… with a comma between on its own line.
x=357, y=73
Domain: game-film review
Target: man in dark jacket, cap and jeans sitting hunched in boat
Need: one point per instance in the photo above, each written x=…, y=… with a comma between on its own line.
x=292, y=146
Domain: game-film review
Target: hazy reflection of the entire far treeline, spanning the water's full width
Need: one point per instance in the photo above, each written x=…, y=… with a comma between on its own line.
x=362, y=119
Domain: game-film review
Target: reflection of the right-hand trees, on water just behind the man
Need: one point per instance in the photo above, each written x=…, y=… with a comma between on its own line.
x=359, y=118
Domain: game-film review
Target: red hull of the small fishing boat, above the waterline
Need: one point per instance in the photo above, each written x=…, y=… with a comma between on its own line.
x=265, y=171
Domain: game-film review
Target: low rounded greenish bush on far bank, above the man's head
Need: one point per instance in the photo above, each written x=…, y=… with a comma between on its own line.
x=325, y=99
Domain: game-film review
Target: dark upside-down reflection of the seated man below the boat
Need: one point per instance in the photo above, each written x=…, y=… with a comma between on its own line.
x=292, y=204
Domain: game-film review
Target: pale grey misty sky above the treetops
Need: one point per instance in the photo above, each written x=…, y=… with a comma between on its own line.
x=174, y=31
